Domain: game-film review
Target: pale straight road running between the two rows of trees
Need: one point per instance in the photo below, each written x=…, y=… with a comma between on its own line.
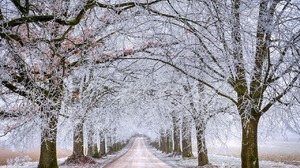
x=138, y=156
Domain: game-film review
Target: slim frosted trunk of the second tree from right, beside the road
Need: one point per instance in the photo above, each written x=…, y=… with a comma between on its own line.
x=201, y=145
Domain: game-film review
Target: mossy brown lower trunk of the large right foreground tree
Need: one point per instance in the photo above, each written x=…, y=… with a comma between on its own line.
x=249, y=152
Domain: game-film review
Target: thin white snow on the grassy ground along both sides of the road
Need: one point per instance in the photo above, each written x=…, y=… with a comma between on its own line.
x=219, y=161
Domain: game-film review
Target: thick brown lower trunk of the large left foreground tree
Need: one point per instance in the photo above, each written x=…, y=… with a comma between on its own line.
x=48, y=157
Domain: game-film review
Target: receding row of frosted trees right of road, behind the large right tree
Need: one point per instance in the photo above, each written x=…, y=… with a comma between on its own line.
x=191, y=105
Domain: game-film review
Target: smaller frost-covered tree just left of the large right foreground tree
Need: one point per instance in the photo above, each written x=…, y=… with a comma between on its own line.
x=202, y=106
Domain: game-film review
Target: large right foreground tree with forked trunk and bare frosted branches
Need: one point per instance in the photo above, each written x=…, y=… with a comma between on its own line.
x=246, y=50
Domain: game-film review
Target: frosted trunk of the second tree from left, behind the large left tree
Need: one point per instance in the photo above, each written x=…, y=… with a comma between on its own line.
x=78, y=141
